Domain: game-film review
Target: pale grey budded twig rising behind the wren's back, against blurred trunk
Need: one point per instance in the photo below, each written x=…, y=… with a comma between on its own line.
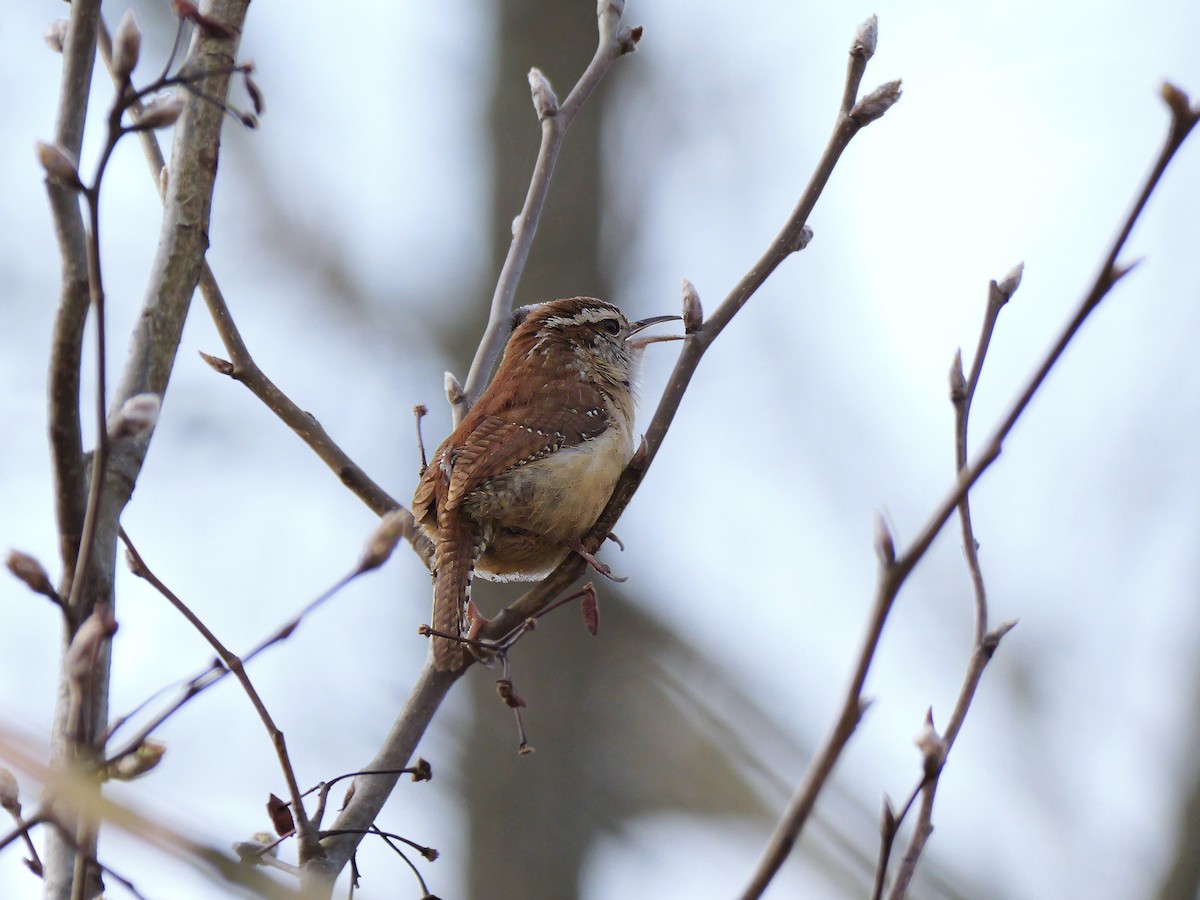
x=615, y=41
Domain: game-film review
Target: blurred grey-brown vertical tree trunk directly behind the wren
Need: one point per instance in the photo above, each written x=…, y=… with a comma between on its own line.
x=542, y=854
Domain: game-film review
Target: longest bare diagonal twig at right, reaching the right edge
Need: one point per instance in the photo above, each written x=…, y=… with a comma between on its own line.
x=895, y=573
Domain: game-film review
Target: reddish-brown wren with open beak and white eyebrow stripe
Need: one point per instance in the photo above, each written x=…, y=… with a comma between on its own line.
x=535, y=461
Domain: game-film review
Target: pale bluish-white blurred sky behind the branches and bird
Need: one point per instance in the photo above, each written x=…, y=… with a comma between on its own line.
x=1024, y=130
